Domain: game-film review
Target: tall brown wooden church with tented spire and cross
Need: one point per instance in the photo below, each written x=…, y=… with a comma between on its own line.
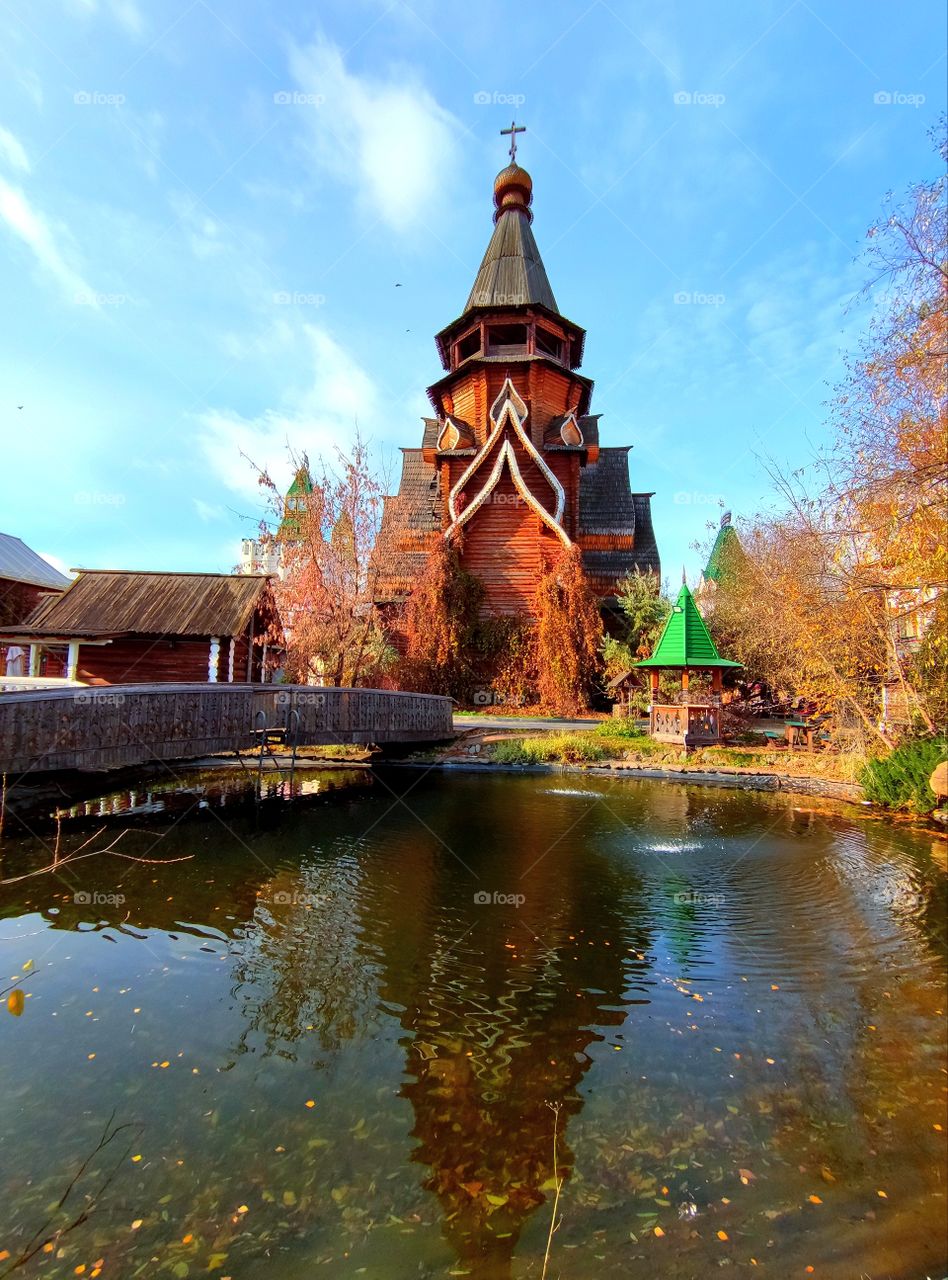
x=511, y=461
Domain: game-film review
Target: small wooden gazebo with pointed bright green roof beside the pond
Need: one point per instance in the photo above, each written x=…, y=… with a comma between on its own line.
x=686, y=646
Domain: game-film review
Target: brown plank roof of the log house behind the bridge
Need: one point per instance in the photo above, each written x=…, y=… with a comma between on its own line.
x=115, y=602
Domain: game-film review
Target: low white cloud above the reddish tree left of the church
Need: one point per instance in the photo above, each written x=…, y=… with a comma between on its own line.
x=326, y=414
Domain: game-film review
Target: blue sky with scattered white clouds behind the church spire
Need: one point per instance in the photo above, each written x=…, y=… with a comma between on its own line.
x=205, y=211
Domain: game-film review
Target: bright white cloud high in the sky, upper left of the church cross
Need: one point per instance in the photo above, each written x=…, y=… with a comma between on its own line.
x=381, y=136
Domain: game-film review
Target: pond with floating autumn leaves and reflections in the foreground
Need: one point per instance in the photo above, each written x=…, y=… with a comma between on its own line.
x=373, y=1031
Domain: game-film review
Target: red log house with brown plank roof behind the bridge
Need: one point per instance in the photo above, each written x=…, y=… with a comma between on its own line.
x=116, y=628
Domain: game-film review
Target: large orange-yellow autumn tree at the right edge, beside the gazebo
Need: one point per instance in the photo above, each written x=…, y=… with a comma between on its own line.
x=858, y=546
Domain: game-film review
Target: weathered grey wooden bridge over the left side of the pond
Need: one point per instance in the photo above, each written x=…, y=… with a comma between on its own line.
x=116, y=726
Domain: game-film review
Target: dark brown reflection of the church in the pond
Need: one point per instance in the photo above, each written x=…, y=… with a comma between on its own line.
x=501, y=1005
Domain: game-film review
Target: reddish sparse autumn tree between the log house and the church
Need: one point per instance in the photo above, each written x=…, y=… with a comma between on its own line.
x=327, y=532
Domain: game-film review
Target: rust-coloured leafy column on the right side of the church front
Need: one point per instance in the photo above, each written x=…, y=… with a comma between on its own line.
x=569, y=636
